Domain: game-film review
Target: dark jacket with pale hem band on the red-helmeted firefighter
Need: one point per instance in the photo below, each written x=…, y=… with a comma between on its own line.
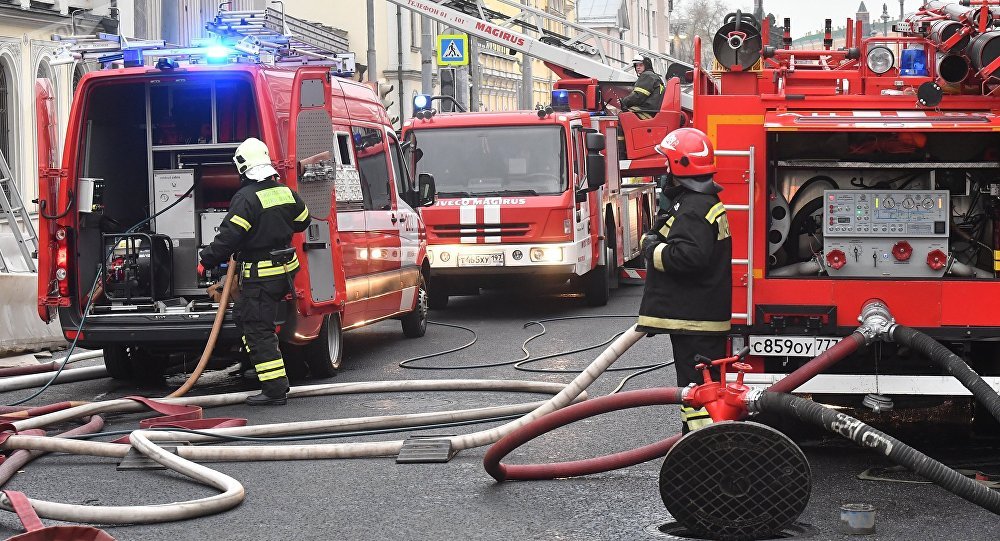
x=689, y=276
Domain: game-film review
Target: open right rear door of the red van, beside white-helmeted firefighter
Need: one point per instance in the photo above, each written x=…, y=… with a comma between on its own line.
x=312, y=172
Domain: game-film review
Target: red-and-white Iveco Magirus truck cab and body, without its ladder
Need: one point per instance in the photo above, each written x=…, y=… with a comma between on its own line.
x=526, y=195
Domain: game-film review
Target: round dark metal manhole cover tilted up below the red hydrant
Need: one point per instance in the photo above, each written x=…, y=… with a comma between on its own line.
x=735, y=481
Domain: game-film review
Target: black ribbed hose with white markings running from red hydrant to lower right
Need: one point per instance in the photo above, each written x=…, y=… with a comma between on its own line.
x=897, y=451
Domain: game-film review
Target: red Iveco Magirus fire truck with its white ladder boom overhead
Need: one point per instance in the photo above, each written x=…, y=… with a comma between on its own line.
x=522, y=195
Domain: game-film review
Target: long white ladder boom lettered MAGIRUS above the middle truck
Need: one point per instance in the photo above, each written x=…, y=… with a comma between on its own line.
x=527, y=31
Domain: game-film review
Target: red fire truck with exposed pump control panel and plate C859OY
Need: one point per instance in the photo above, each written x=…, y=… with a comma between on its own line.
x=857, y=173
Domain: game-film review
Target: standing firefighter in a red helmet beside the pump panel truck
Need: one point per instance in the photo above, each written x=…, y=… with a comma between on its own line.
x=688, y=291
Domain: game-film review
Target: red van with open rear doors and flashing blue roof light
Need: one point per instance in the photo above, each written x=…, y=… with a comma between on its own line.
x=147, y=177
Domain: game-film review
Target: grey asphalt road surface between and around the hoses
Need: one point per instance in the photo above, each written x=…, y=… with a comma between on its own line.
x=377, y=499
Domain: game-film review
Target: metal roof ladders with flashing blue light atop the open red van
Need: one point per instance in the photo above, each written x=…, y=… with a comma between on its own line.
x=265, y=36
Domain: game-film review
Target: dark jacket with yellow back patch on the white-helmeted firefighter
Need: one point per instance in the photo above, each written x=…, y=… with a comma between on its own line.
x=262, y=217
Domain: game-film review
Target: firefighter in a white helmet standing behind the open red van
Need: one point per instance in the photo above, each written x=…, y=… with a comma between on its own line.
x=262, y=217
